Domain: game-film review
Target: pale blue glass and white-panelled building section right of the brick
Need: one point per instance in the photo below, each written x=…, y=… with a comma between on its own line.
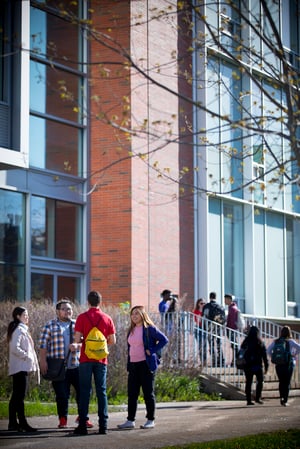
x=248, y=238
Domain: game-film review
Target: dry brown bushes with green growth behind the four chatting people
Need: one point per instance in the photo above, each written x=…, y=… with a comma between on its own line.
x=171, y=384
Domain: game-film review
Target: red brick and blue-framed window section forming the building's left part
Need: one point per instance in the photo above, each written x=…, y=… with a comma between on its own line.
x=81, y=208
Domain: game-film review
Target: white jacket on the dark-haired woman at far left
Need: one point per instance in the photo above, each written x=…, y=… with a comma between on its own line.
x=22, y=356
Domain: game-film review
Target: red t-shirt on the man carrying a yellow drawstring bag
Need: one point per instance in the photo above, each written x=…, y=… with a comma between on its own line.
x=85, y=323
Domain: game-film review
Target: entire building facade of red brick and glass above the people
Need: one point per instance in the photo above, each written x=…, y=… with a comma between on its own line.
x=111, y=175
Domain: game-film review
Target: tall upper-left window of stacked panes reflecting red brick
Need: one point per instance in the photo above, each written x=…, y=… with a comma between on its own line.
x=56, y=88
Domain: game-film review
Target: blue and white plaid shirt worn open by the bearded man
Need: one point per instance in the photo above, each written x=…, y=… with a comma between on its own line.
x=52, y=339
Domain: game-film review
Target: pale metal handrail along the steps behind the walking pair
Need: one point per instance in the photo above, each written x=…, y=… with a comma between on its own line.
x=189, y=348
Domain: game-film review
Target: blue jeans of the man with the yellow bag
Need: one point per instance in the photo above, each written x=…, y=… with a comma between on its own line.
x=99, y=370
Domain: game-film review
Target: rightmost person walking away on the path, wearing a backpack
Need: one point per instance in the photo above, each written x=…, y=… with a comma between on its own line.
x=284, y=371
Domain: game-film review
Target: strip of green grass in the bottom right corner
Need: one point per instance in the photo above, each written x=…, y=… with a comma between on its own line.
x=289, y=439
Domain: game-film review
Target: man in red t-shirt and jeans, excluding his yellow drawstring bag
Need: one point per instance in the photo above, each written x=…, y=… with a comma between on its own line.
x=85, y=322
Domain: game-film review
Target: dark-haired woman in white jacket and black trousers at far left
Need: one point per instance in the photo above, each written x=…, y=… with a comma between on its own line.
x=22, y=359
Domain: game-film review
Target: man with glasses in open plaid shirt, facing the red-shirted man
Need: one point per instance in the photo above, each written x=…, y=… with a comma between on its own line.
x=57, y=341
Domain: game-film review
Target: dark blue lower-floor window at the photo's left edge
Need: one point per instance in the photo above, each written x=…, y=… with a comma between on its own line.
x=12, y=245
